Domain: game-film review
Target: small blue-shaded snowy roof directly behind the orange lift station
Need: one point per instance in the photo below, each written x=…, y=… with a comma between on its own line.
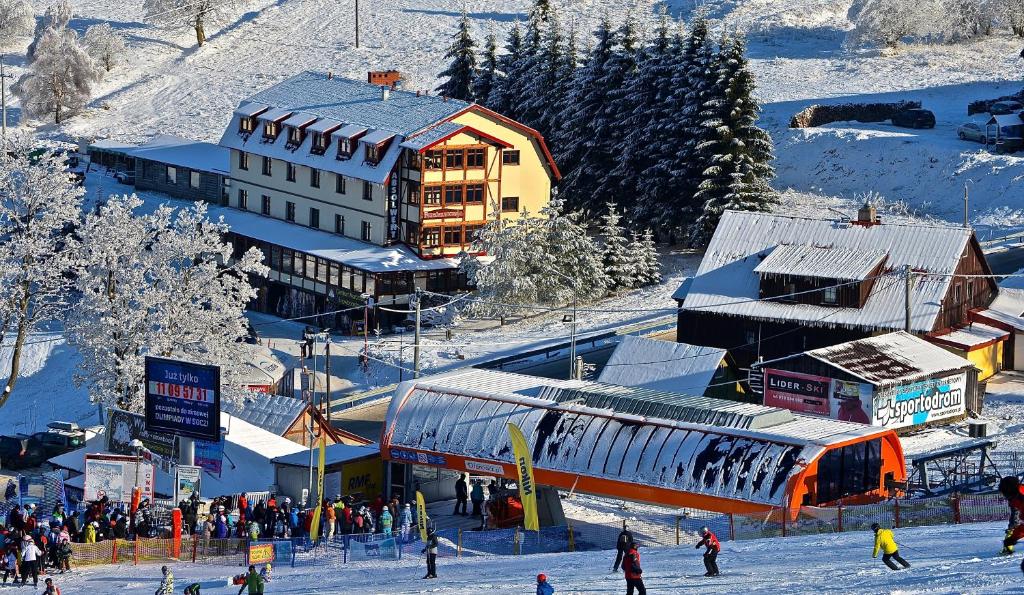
x=662, y=366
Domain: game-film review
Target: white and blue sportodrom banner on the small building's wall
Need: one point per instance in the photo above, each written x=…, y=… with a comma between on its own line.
x=920, y=403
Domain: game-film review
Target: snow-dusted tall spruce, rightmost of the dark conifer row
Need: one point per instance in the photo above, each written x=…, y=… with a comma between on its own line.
x=741, y=153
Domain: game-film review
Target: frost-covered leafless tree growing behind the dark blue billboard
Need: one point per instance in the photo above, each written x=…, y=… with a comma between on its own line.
x=156, y=285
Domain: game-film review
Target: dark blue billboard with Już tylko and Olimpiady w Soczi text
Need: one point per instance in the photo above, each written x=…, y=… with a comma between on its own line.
x=183, y=399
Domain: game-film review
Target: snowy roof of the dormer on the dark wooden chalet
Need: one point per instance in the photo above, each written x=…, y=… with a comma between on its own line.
x=821, y=262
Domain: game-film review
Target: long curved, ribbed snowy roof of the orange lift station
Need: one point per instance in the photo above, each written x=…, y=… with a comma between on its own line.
x=465, y=414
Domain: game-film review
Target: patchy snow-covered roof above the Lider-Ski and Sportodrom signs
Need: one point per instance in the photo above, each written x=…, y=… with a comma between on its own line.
x=891, y=359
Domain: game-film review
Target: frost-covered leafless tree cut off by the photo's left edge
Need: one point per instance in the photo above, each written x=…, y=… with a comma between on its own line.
x=39, y=202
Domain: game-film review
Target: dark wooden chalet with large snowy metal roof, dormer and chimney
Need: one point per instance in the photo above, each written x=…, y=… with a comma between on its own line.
x=771, y=286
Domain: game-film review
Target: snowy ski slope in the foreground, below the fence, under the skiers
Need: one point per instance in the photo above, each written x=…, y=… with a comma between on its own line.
x=946, y=560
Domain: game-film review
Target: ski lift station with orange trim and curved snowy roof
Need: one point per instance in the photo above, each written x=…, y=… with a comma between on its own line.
x=636, y=444
